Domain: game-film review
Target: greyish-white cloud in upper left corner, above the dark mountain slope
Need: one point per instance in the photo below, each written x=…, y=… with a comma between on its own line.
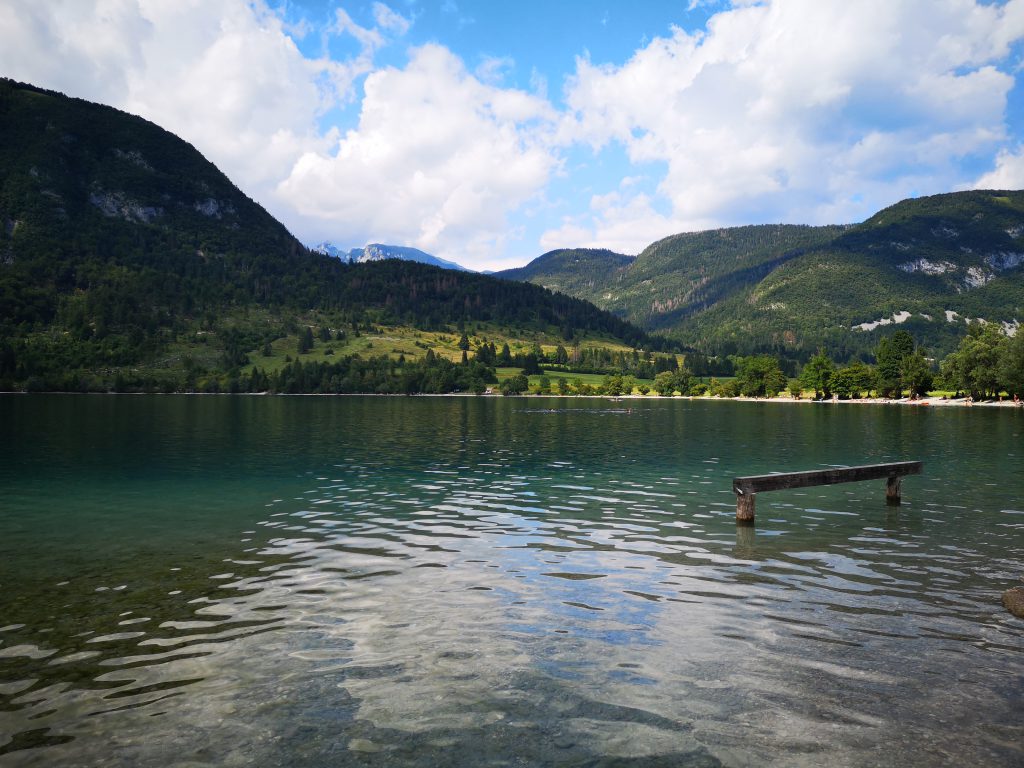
x=226, y=75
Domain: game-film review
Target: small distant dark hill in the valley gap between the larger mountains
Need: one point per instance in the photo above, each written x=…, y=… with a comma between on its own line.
x=576, y=272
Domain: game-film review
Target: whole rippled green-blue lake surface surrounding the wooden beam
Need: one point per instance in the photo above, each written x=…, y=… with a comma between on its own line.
x=365, y=581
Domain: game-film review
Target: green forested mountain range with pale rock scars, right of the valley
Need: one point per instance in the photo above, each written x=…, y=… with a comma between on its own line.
x=927, y=265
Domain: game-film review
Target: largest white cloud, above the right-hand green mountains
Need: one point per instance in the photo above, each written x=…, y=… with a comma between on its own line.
x=798, y=111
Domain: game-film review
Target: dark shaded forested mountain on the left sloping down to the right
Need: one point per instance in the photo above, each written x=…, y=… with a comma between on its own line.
x=121, y=247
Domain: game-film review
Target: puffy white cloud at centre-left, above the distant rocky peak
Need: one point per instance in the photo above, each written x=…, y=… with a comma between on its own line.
x=439, y=161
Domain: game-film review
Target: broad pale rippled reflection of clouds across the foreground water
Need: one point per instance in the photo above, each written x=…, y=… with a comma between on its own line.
x=554, y=616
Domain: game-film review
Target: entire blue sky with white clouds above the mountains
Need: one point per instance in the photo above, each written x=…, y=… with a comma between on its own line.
x=488, y=133
